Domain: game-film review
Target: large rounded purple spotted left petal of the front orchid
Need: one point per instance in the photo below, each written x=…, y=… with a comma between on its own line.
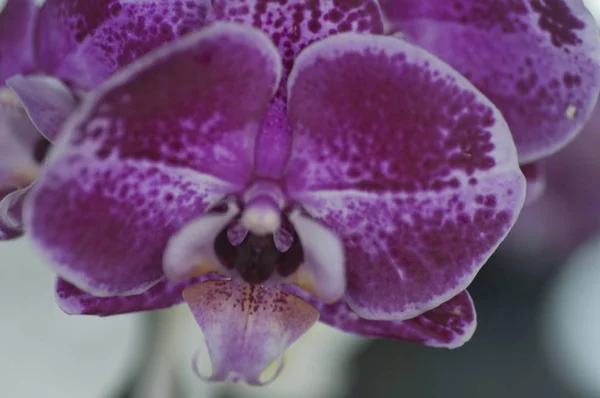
x=149, y=152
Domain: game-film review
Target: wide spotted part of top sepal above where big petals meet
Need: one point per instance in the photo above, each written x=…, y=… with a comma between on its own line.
x=294, y=24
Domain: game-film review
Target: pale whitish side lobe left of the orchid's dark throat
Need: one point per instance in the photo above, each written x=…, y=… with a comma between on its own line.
x=191, y=252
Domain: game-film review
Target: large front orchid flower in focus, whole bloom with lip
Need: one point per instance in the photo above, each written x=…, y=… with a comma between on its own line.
x=312, y=168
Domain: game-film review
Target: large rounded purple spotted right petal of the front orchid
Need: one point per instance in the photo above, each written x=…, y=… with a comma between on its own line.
x=407, y=162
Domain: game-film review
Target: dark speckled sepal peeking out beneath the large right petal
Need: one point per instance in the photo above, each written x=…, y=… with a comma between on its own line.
x=449, y=325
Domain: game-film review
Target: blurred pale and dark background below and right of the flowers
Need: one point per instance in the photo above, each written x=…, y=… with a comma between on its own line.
x=538, y=304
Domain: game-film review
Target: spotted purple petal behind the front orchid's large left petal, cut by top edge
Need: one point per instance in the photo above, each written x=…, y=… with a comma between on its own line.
x=84, y=42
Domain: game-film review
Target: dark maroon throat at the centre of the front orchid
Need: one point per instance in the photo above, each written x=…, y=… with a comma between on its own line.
x=257, y=258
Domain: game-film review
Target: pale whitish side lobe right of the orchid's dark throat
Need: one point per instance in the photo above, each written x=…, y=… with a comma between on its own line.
x=323, y=270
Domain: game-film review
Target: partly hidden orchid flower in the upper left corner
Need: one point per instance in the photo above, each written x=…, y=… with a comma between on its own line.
x=52, y=56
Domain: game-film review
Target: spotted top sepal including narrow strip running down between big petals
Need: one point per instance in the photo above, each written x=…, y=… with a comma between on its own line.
x=293, y=26
